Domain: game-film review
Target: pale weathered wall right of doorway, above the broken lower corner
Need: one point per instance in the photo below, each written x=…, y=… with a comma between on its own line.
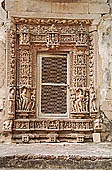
x=105, y=63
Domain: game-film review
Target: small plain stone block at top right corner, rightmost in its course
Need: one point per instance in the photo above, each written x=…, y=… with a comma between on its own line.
x=98, y=8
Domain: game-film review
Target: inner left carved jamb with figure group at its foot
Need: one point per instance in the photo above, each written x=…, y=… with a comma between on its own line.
x=26, y=91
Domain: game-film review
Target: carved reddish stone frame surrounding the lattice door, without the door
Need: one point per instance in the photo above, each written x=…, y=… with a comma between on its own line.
x=26, y=37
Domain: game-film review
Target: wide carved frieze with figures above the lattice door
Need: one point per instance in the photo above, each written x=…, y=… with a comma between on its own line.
x=54, y=33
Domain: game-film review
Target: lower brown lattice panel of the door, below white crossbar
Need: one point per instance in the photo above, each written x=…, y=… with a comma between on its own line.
x=53, y=99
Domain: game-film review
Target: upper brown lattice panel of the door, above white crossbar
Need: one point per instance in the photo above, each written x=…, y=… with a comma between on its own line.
x=54, y=70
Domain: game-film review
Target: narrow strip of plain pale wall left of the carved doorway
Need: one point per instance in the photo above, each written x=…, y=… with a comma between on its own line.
x=2, y=66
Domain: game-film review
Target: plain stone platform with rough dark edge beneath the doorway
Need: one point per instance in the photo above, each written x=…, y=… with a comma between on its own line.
x=56, y=156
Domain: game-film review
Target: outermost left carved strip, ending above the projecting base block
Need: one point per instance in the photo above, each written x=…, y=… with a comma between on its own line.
x=11, y=69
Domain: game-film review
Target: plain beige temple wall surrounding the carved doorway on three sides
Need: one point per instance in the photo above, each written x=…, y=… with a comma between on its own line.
x=98, y=10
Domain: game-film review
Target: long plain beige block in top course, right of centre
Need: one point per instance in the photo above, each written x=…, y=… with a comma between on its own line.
x=81, y=8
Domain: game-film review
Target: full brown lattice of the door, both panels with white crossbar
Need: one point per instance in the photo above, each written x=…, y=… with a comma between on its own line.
x=53, y=96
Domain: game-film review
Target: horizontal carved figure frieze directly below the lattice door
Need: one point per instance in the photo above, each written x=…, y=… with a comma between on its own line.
x=55, y=125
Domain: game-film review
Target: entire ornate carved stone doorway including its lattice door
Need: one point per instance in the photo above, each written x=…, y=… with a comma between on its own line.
x=59, y=85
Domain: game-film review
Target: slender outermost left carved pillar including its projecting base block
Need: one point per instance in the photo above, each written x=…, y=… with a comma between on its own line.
x=11, y=77
